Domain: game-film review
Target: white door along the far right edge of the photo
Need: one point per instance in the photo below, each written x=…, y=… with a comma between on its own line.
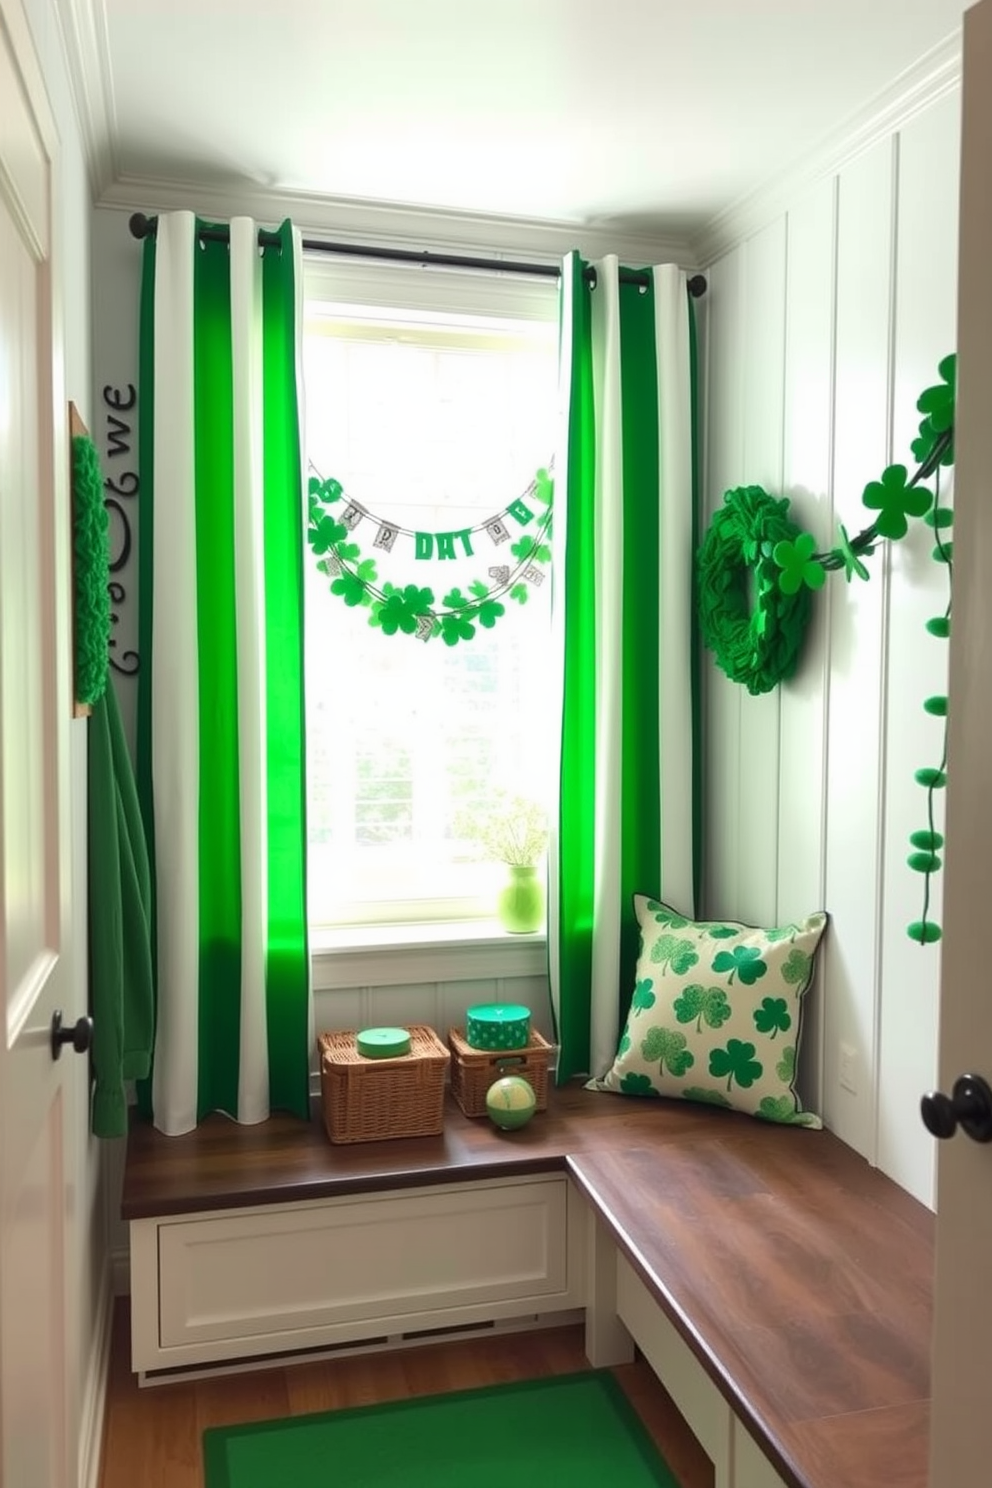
x=962, y=1425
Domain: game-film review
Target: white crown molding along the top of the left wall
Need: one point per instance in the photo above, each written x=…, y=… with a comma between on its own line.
x=83, y=26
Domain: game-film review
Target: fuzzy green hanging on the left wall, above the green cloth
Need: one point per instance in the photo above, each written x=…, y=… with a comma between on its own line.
x=91, y=572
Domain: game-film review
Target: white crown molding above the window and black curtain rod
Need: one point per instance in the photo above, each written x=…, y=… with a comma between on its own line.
x=393, y=224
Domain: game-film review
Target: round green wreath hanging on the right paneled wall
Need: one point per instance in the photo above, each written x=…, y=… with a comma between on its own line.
x=752, y=623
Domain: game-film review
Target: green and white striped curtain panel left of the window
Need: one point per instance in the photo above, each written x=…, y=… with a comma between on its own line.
x=221, y=702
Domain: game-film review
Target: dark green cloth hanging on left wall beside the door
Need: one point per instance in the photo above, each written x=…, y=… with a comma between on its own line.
x=121, y=993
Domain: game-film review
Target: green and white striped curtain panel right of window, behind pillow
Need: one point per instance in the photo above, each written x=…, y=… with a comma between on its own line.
x=622, y=618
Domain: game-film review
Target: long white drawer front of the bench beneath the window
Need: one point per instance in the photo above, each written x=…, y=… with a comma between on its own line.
x=286, y=1270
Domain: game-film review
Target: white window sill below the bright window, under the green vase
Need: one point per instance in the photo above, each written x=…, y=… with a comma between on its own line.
x=405, y=956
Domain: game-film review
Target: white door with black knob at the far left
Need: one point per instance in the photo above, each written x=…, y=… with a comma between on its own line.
x=35, y=715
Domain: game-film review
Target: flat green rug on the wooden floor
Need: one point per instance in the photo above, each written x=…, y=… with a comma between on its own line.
x=579, y=1431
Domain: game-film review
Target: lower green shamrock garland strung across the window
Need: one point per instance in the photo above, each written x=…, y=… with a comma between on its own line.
x=413, y=609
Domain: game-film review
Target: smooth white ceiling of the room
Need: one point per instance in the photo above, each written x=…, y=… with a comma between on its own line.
x=643, y=115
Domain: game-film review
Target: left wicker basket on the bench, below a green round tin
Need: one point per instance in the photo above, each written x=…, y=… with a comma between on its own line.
x=370, y=1100
